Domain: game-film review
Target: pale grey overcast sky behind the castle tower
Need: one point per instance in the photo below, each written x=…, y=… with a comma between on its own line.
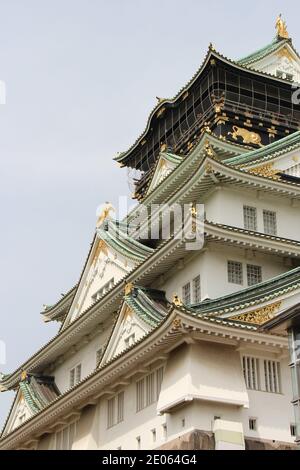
x=81, y=78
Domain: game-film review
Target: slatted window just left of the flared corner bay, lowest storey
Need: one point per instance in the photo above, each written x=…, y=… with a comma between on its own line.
x=148, y=389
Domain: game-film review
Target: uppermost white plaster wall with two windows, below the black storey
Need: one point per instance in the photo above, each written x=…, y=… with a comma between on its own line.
x=225, y=206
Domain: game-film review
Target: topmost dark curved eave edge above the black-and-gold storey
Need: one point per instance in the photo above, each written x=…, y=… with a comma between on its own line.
x=171, y=102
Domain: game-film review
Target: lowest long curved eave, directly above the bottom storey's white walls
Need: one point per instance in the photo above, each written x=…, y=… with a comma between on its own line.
x=164, y=336
